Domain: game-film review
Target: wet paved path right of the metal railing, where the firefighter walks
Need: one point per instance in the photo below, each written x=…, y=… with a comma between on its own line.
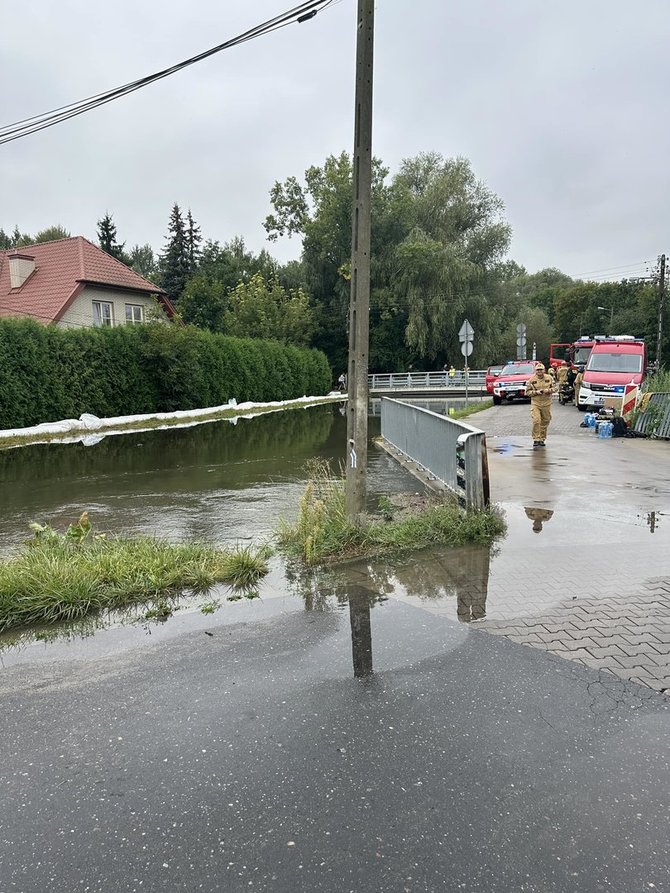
x=611, y=615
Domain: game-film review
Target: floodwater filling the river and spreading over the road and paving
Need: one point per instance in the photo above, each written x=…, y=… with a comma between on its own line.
x=231, y=483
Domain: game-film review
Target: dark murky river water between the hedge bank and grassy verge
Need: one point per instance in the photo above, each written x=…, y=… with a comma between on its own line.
x=222, y=482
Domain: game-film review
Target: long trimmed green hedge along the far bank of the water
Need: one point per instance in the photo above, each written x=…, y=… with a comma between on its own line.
x=47, y=373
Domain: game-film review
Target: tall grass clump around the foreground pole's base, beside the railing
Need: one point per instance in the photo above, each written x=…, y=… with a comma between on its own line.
x=323, y=532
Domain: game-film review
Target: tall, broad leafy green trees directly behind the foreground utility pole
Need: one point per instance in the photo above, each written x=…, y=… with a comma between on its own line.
x=437, y=232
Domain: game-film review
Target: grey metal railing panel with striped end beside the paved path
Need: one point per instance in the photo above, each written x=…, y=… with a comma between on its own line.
x=450, y=451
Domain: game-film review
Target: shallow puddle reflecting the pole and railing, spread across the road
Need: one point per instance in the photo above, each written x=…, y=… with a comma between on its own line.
x=465, y=584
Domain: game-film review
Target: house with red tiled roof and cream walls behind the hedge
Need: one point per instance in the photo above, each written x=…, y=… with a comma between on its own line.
x=72, y=282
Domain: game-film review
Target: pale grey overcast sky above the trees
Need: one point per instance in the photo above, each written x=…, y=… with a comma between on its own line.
x=560, y=106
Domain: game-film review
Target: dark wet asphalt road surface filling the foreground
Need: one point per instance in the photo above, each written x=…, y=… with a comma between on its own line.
x=251, y=758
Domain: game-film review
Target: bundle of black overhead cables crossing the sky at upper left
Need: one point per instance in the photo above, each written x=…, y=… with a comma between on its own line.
x=25, y=127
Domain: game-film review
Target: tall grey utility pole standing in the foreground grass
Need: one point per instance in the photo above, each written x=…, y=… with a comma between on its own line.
x=359, y=302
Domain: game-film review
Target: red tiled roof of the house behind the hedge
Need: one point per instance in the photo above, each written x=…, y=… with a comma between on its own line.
x=61, y=268
